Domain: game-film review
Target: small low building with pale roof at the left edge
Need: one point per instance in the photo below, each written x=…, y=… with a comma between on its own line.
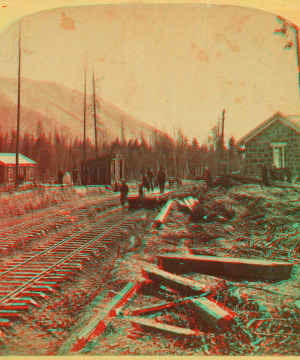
x=27, y=168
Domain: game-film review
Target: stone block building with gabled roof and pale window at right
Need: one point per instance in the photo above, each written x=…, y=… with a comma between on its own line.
x=274, y=143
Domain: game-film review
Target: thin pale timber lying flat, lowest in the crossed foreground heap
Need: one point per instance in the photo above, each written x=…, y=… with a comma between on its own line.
x=164, y=328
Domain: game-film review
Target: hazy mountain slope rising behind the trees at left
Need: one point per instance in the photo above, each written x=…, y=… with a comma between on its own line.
x=58, y=107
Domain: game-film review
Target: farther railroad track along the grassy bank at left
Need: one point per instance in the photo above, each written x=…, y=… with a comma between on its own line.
x=14, y=236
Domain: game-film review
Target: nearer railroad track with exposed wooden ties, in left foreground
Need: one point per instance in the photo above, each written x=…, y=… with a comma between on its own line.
x=34, y=276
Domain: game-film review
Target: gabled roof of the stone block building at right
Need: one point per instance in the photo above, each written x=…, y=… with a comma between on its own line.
x=292, y=121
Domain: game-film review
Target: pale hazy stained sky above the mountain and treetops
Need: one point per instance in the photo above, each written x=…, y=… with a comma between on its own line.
x=167, y=65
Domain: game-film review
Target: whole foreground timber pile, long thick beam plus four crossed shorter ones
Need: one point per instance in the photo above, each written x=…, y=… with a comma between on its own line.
x=206, y=310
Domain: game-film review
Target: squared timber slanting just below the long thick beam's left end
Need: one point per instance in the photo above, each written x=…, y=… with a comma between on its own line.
x=176, y=282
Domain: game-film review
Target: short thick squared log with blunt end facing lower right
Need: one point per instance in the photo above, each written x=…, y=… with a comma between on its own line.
x=213, y=314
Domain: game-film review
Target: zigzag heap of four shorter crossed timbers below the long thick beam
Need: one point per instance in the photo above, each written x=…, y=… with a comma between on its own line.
x=191, y=292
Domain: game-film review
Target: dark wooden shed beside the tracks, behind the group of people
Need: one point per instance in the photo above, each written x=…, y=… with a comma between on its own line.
x=103, y=170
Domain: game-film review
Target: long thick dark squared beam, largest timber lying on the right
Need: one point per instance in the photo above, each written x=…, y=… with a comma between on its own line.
x=227, y=266
